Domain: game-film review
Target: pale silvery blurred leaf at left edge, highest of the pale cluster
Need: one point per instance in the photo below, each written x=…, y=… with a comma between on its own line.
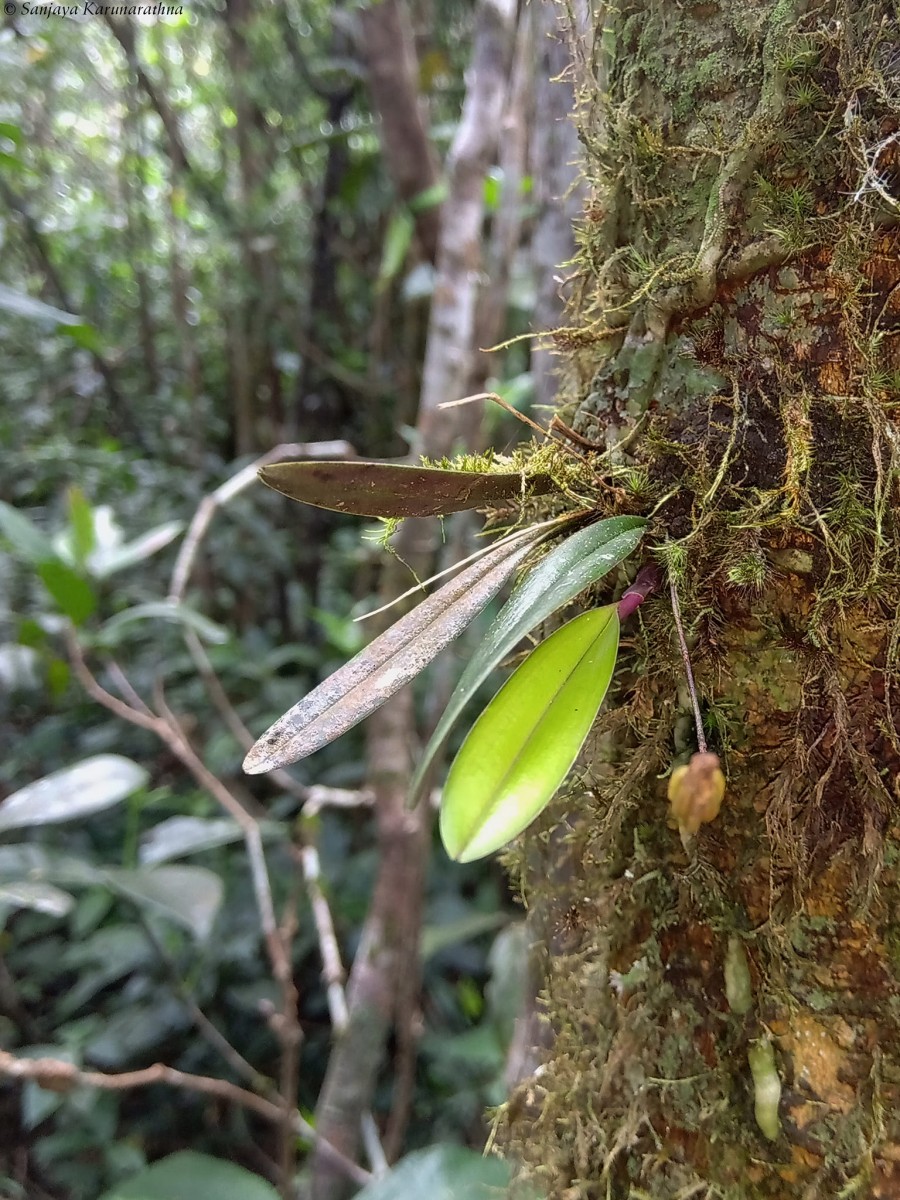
x=75, y=793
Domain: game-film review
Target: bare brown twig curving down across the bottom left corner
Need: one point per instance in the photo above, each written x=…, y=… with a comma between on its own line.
x=58, y=1076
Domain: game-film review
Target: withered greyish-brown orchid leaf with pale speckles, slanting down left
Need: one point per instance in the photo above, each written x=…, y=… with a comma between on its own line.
x=391, y=662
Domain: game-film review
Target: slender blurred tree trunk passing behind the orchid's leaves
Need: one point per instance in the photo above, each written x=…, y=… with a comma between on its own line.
x=385, y=981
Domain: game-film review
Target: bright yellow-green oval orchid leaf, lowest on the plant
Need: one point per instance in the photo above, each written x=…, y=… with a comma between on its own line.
x=525, y=743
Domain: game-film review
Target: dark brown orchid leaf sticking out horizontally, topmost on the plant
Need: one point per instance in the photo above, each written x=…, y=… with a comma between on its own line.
x=397, y=490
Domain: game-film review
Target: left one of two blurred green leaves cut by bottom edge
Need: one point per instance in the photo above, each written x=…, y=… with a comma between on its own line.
x=188, y=1175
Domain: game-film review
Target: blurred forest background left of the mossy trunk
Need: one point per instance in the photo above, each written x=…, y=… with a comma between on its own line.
x=224, y=232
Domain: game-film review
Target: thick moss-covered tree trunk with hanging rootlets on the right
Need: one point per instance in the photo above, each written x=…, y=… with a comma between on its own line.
x=727, y=1012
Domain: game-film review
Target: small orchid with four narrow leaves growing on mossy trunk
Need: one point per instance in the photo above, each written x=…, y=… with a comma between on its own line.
x=525, y=743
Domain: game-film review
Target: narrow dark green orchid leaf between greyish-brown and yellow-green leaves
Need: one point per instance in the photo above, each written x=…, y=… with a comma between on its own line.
x=578, y=562
